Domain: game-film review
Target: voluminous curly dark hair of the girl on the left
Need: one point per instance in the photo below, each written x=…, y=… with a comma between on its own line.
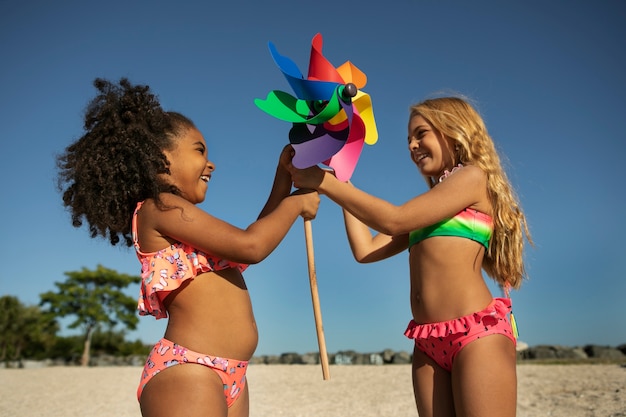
x=117, y=162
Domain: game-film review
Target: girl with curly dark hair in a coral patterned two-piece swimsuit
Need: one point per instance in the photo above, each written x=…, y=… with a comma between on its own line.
x=137, y=175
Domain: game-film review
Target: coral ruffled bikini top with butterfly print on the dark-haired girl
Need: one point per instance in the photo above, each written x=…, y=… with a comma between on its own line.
x=165, y=270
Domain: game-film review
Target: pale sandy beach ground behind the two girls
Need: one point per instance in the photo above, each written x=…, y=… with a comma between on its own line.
x=299, y=391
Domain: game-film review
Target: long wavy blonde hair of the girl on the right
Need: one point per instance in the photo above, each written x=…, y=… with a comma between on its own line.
x=456, y=119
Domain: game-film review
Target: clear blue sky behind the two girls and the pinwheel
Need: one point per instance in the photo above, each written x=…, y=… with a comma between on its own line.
x=548, y=78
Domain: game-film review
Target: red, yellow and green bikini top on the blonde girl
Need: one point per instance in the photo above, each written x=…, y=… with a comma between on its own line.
x=469, y=223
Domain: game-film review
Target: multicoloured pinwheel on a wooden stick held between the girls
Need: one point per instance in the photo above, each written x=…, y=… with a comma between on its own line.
x=332, y=119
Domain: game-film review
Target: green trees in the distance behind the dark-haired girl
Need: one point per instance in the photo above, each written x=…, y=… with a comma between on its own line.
x=94, y=298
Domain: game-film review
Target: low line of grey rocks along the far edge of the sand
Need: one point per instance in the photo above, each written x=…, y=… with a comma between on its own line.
x=525, y=354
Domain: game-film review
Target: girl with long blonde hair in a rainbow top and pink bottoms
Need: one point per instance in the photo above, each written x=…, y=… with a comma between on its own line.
x=470, y=219
